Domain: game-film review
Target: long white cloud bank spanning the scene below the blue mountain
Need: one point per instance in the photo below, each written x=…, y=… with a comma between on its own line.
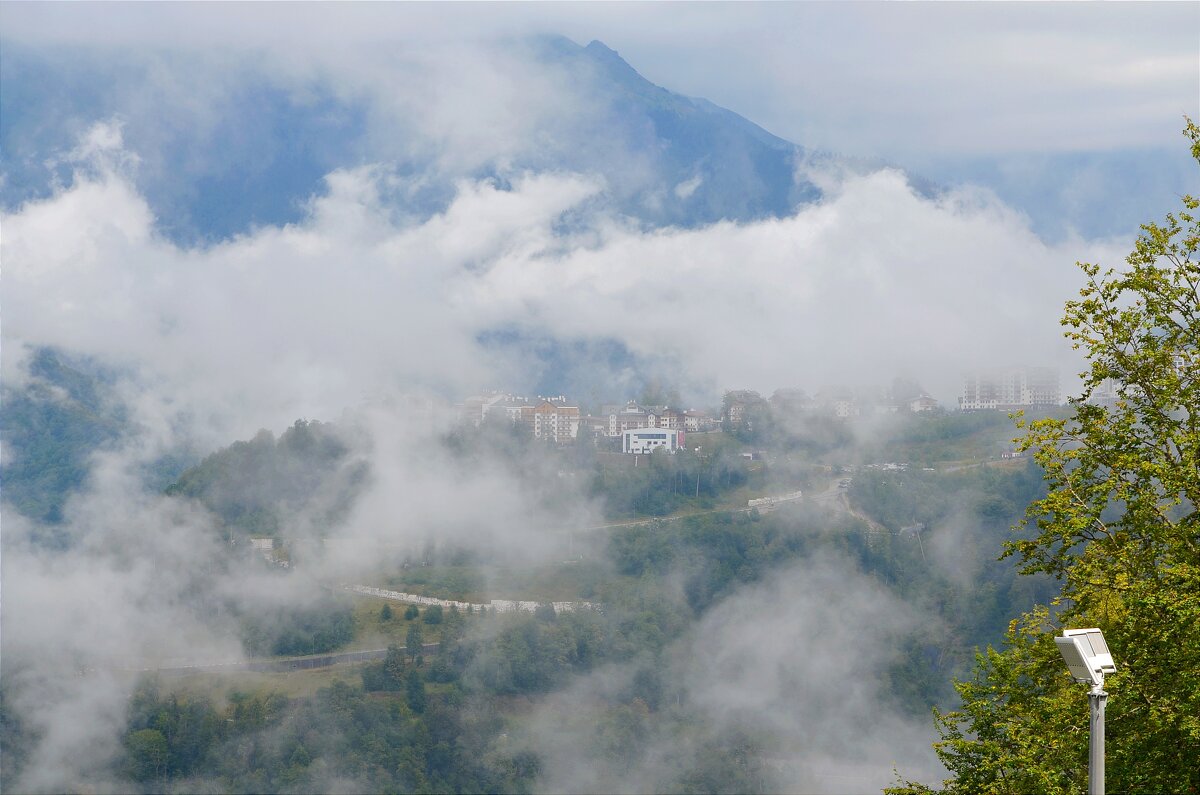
x=309, y=319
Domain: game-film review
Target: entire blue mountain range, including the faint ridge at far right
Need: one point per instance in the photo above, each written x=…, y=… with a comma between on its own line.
x=261, y=148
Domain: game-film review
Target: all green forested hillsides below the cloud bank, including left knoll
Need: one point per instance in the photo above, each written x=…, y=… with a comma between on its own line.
x=459, y=719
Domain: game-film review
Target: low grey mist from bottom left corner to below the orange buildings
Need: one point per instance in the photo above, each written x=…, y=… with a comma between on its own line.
x=139, y=581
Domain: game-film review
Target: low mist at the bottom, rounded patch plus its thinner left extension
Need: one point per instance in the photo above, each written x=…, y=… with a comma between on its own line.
x=794, y=666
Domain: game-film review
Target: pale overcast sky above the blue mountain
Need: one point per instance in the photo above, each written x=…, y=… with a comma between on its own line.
x=896, y=80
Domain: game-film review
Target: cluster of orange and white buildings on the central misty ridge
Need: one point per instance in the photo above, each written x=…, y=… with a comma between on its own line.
x=561, y=421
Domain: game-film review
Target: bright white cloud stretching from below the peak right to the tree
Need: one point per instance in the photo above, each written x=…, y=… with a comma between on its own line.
x=871, y=283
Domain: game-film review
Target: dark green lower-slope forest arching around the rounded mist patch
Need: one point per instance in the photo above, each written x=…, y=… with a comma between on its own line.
x=441, y=724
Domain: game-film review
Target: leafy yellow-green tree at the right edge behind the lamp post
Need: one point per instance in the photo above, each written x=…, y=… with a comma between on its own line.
x=1120, y=529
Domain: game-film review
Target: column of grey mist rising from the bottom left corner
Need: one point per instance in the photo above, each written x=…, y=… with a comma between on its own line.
x=137, y=588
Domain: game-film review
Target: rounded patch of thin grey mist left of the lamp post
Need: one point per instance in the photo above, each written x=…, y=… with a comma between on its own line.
x=805, y=657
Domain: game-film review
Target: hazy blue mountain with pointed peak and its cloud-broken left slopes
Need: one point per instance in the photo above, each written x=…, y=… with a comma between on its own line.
x=667, y=159
